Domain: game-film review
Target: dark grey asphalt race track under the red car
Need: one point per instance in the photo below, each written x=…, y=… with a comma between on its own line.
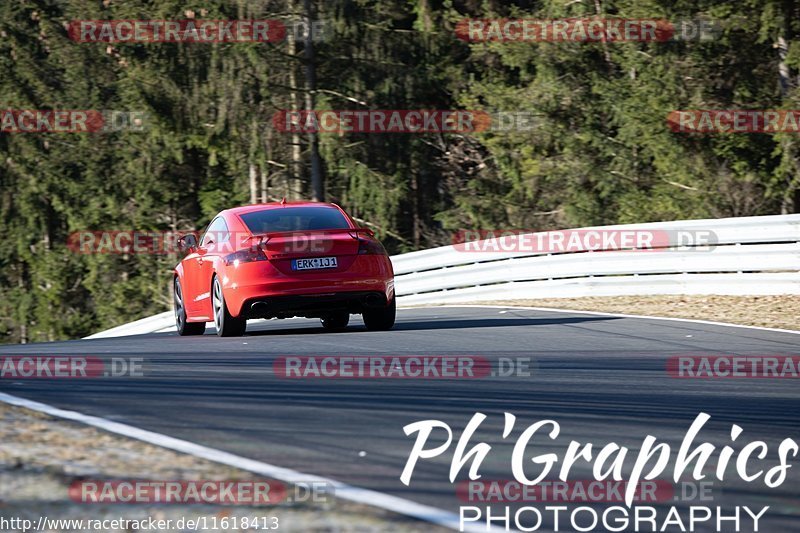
x=602, y=378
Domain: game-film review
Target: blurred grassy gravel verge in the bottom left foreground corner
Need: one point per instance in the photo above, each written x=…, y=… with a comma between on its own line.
x=41, y=456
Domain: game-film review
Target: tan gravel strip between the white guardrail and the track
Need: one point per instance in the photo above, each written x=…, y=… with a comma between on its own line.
x=766, y=311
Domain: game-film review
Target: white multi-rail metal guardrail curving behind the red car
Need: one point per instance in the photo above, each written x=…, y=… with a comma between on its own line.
x=751, y=256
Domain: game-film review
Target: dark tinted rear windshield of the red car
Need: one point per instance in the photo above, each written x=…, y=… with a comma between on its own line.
x=294, y=219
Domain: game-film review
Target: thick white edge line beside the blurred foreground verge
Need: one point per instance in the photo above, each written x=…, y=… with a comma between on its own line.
x=341, y=490
